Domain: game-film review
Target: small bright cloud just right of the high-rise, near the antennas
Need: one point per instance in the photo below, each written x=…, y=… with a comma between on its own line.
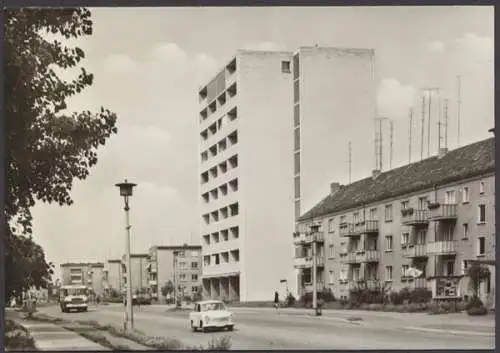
x=395, y=99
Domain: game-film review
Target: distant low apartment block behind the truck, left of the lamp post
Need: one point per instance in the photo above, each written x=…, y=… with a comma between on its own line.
x=89, y=274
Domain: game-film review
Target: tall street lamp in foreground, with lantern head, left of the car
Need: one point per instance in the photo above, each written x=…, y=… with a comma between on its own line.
x=126, y=191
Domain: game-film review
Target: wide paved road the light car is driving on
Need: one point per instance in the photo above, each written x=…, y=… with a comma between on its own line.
x=265, y=329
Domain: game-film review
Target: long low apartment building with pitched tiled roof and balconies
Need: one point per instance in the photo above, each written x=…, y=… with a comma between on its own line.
x=436, y=215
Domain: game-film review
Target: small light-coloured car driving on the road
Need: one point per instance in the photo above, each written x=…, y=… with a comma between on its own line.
x=211, y=314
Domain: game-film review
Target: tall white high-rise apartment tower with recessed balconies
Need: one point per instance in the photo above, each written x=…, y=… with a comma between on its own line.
x=266, y=126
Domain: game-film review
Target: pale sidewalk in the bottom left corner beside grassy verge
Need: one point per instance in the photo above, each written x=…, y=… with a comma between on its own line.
x=48, y=336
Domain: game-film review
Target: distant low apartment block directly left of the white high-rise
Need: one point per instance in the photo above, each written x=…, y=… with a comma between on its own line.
x=179, y=264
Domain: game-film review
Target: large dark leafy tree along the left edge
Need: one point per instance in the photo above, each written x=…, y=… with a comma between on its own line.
x=47, y=147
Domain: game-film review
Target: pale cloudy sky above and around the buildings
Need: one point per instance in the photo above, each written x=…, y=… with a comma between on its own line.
x=149, y=63
